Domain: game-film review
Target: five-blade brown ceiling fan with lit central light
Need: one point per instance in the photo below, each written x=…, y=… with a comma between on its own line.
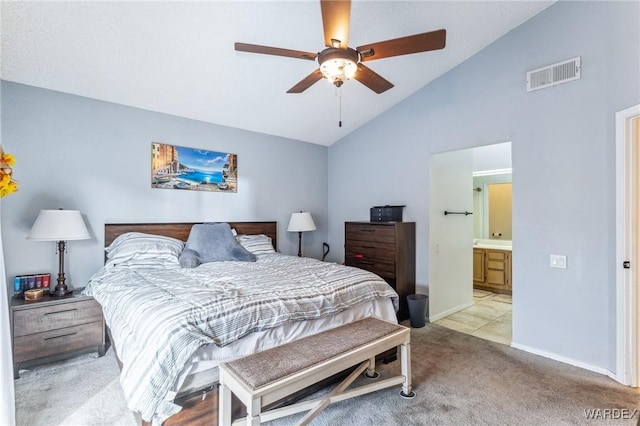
x=338, y=62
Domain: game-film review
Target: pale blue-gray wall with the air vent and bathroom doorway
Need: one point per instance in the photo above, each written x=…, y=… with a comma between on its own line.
x=563, y=146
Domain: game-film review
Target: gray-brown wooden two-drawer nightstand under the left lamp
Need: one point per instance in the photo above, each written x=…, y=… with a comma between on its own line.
x=54, y=328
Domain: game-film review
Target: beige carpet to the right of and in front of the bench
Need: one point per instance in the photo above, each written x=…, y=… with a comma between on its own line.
x=464, y=380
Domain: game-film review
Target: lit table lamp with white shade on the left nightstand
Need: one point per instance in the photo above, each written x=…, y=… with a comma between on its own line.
x=61, y=226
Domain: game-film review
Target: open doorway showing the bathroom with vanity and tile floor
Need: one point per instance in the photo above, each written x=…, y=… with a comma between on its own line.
x=481, y=250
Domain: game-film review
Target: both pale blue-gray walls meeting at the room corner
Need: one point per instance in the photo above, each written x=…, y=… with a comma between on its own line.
x=94, y=156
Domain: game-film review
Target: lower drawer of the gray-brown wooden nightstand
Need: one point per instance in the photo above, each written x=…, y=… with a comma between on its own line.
x=57, y=341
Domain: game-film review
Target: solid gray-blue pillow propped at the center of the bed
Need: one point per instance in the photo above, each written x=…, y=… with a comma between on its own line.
x=214, y=242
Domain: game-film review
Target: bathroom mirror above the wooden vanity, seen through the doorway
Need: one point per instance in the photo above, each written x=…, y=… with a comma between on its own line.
x=492, y=202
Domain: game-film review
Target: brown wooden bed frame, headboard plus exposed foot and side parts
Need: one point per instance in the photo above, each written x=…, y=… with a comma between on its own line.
x=198, y=408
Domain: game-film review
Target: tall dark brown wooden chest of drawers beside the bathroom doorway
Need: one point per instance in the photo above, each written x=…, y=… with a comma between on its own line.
x=387, y=249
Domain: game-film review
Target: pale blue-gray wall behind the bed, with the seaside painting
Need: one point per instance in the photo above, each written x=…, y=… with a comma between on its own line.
x=94, y=156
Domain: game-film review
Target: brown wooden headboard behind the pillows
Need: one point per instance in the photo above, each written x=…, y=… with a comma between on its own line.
x=181, y=230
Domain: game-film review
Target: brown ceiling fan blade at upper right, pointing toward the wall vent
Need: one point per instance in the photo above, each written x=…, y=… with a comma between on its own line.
x=424, y=42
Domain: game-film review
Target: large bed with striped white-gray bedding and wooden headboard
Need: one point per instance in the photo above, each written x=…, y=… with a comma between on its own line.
x=172, y=326
